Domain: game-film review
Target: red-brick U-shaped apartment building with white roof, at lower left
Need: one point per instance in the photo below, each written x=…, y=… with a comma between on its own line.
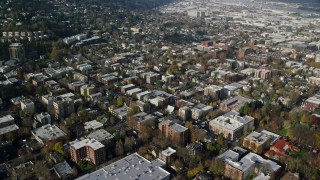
x=89, y=149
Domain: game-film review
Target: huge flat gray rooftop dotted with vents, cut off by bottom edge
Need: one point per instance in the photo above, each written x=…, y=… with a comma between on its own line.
x=133, y=166
